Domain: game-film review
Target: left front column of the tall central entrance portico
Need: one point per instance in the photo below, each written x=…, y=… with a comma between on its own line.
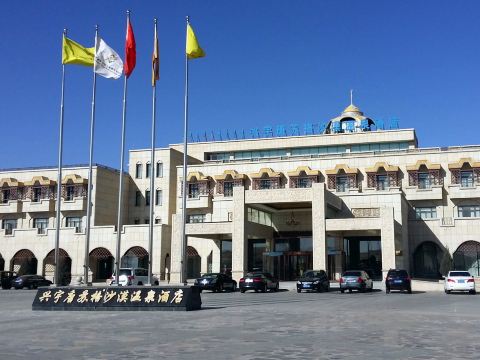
x=239, y=236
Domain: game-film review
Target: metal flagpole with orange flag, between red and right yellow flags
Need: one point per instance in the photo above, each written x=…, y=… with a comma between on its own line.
x=152, y=167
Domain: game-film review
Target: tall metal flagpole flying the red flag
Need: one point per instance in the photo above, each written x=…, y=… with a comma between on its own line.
x=120, y=185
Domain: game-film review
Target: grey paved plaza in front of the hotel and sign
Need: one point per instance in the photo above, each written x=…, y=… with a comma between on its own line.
x=283, y=325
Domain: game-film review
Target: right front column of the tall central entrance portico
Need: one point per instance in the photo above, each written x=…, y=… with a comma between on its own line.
x=318, y=227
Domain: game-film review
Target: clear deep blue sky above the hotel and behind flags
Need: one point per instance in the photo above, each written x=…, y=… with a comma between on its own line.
x=268, y=63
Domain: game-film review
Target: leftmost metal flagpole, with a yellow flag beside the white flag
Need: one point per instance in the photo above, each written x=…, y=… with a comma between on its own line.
x=59, y=176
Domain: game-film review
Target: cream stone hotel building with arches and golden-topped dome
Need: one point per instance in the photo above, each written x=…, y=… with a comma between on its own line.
x=350, y=198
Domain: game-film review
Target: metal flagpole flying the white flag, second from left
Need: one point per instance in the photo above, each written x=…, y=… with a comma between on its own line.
x=90, y=175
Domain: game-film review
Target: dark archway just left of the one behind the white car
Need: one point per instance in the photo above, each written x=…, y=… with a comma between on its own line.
x=427, y=258
